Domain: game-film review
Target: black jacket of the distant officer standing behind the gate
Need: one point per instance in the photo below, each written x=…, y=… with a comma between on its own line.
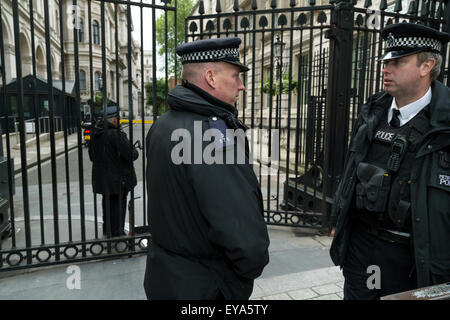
x=112, y=158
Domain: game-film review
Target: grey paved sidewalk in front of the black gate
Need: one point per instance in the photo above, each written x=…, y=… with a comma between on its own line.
x=299, y=269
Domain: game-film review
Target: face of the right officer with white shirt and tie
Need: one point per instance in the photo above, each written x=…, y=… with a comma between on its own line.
x=401, y=76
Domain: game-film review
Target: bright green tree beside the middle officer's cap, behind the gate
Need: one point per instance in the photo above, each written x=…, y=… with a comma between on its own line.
x=184, y=8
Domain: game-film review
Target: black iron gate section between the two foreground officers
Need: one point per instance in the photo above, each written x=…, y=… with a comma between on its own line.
x=311, y=67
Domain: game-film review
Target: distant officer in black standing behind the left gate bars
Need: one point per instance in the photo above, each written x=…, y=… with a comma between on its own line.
x=113, y=173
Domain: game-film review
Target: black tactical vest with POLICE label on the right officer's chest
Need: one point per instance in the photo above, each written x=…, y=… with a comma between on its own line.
x=383, y=187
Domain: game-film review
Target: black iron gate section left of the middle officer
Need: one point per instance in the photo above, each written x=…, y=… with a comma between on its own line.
x=62, y=63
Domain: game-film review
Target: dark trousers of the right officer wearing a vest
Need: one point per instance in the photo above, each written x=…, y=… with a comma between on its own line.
x=393, y=260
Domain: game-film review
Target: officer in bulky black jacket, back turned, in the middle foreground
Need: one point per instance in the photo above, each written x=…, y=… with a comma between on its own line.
x=209, y=238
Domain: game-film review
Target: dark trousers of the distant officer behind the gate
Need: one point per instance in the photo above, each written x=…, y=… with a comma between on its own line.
x=117, y=207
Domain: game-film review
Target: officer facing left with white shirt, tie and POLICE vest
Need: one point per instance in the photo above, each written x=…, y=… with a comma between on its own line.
x=392, y=207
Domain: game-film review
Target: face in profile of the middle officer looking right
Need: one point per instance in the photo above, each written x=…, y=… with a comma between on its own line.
x=228, y=83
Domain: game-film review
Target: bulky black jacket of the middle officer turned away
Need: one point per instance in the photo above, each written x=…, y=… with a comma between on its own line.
x=209, y=237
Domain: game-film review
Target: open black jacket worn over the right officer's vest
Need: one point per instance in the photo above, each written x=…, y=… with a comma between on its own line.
x=430, y=185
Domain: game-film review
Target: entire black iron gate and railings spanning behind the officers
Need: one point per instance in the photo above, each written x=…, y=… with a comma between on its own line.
x=311, y=67
